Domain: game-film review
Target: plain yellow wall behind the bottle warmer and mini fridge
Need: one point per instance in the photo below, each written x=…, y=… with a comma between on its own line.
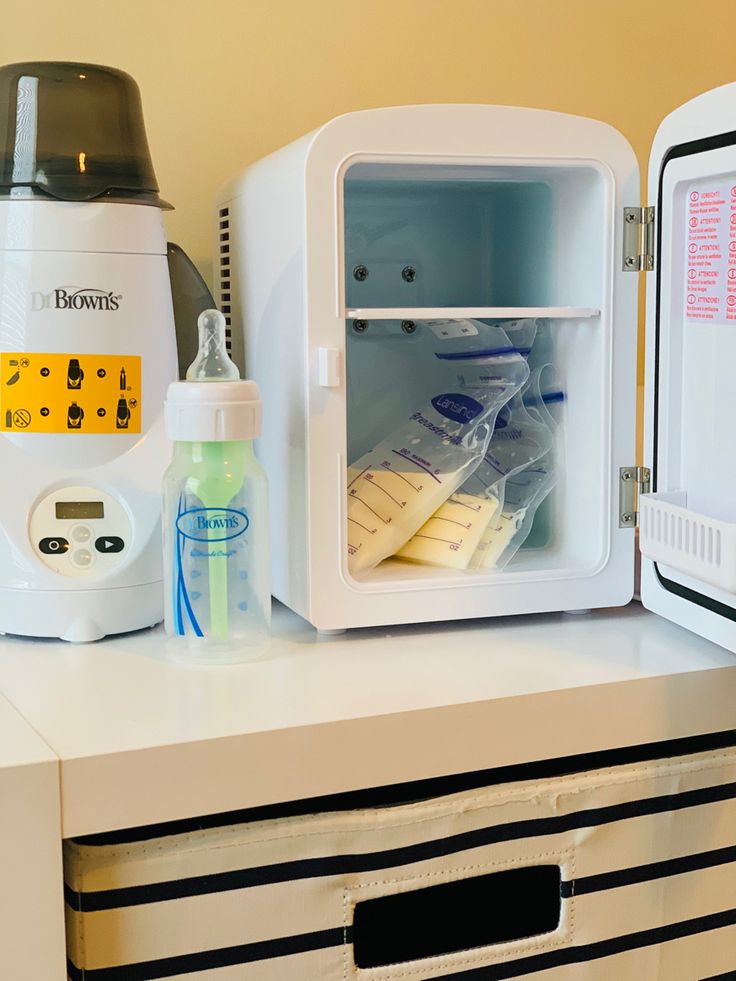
x=226, y=82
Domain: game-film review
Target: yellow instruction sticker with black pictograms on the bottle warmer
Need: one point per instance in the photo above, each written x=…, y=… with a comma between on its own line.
x=70, y=393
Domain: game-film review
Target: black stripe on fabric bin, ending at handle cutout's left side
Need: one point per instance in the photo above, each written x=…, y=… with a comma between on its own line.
x=210, y=960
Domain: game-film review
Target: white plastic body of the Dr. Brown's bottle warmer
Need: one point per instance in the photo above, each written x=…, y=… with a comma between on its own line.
x=119, y=248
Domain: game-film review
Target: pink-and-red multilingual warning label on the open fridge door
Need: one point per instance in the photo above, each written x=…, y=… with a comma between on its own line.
x=710, y=266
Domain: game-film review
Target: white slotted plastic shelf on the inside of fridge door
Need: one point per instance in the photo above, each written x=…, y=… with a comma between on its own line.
x=699, y=546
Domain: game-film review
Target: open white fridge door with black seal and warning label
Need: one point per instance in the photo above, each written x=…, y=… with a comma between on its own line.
x=688, y=521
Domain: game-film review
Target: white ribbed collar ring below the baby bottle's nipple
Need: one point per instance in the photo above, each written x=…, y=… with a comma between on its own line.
x=201, y=413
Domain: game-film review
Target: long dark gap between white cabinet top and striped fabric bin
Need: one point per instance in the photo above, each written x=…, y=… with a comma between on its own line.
x=394, y=795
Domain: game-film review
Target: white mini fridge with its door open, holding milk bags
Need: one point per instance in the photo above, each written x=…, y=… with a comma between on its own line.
x=337, y=252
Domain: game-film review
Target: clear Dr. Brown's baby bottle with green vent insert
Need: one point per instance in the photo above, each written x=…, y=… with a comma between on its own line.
x=215, y=521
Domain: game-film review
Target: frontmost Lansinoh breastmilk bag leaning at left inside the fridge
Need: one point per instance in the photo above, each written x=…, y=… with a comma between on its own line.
x=396, y=486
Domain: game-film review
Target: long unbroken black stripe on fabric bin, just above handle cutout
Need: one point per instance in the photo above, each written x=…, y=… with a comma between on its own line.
x=310, y=868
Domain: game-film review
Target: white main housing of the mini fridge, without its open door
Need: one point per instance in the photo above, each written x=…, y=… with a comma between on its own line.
x=544, y=194
